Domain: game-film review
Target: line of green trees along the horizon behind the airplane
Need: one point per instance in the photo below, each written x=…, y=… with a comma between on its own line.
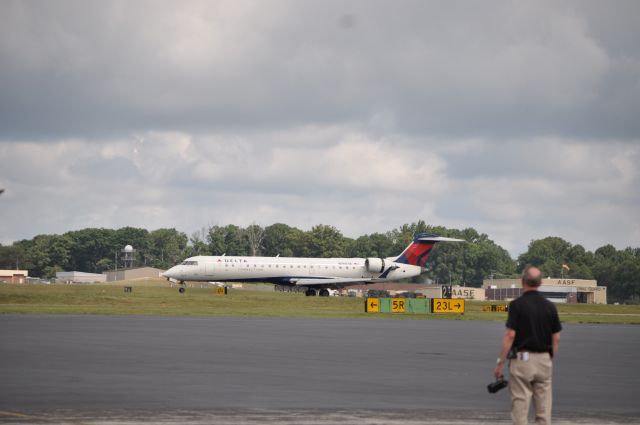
x=96, y=250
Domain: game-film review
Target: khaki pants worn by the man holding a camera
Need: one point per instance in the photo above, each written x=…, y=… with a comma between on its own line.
x=531, y=378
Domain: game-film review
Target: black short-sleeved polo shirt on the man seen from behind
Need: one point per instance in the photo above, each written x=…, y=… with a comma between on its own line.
x=535, y=319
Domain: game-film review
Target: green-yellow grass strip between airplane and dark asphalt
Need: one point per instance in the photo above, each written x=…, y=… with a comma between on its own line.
x=157, y=298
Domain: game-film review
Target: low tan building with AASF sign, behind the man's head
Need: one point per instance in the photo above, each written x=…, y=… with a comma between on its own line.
x=558, y=290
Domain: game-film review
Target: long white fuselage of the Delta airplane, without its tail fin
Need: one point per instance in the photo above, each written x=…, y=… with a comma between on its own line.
x=284, y=270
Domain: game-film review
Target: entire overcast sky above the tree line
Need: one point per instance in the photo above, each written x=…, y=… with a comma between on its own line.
x=520, y=119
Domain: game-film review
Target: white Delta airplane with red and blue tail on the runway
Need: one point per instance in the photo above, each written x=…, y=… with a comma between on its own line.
x=318, y=275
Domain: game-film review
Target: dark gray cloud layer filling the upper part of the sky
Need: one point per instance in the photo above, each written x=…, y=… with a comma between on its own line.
x=77, y=69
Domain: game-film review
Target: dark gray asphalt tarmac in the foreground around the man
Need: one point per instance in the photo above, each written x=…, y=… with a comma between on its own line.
x=97, y=366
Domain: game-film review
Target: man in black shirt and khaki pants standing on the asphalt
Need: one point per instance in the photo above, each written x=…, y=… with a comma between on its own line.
x=532, y=336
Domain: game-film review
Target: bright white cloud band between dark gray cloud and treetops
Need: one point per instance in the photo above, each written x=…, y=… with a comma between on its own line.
x=359, y=183
